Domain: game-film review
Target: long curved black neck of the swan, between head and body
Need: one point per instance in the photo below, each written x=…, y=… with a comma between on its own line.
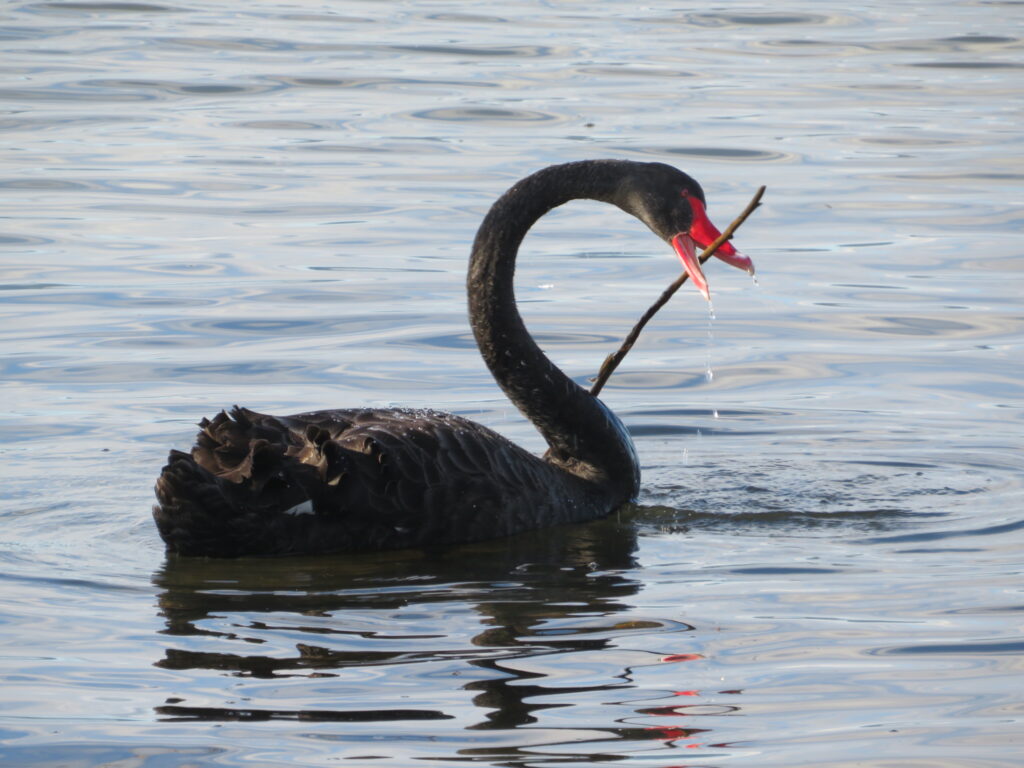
x=585, y=437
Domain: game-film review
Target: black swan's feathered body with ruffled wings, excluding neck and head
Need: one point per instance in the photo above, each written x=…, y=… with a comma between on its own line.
x=357, y=480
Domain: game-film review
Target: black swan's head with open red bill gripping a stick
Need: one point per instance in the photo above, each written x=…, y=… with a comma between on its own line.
x=673, y=205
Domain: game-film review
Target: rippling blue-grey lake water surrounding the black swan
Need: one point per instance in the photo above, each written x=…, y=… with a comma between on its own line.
x=272, y=204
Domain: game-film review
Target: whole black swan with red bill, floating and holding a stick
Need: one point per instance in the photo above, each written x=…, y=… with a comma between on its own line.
x=390, y=479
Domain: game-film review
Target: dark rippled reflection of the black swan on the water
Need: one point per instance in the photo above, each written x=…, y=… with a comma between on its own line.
x=551, y=592
